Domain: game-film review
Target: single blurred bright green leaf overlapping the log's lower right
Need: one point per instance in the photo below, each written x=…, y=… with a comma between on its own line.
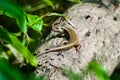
x=99, y=71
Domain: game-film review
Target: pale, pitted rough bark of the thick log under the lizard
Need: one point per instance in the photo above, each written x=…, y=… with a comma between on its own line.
x=98, y=29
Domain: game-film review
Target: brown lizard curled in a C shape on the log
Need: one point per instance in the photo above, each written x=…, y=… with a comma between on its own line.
x=72, y=42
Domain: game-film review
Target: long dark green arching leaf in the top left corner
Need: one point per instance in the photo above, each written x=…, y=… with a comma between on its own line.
x=14, y=11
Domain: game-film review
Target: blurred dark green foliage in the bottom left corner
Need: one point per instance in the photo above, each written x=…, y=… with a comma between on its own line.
x=12, y=73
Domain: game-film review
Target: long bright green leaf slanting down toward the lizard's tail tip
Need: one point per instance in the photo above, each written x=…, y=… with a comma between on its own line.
x=11, y=39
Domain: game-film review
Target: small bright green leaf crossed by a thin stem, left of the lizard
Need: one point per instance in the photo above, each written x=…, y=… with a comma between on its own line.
x=35, y=22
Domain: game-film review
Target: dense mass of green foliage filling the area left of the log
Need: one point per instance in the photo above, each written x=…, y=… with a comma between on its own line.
x=14, y=47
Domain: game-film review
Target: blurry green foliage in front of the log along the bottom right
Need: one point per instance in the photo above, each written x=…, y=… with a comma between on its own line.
x=93, y=66
